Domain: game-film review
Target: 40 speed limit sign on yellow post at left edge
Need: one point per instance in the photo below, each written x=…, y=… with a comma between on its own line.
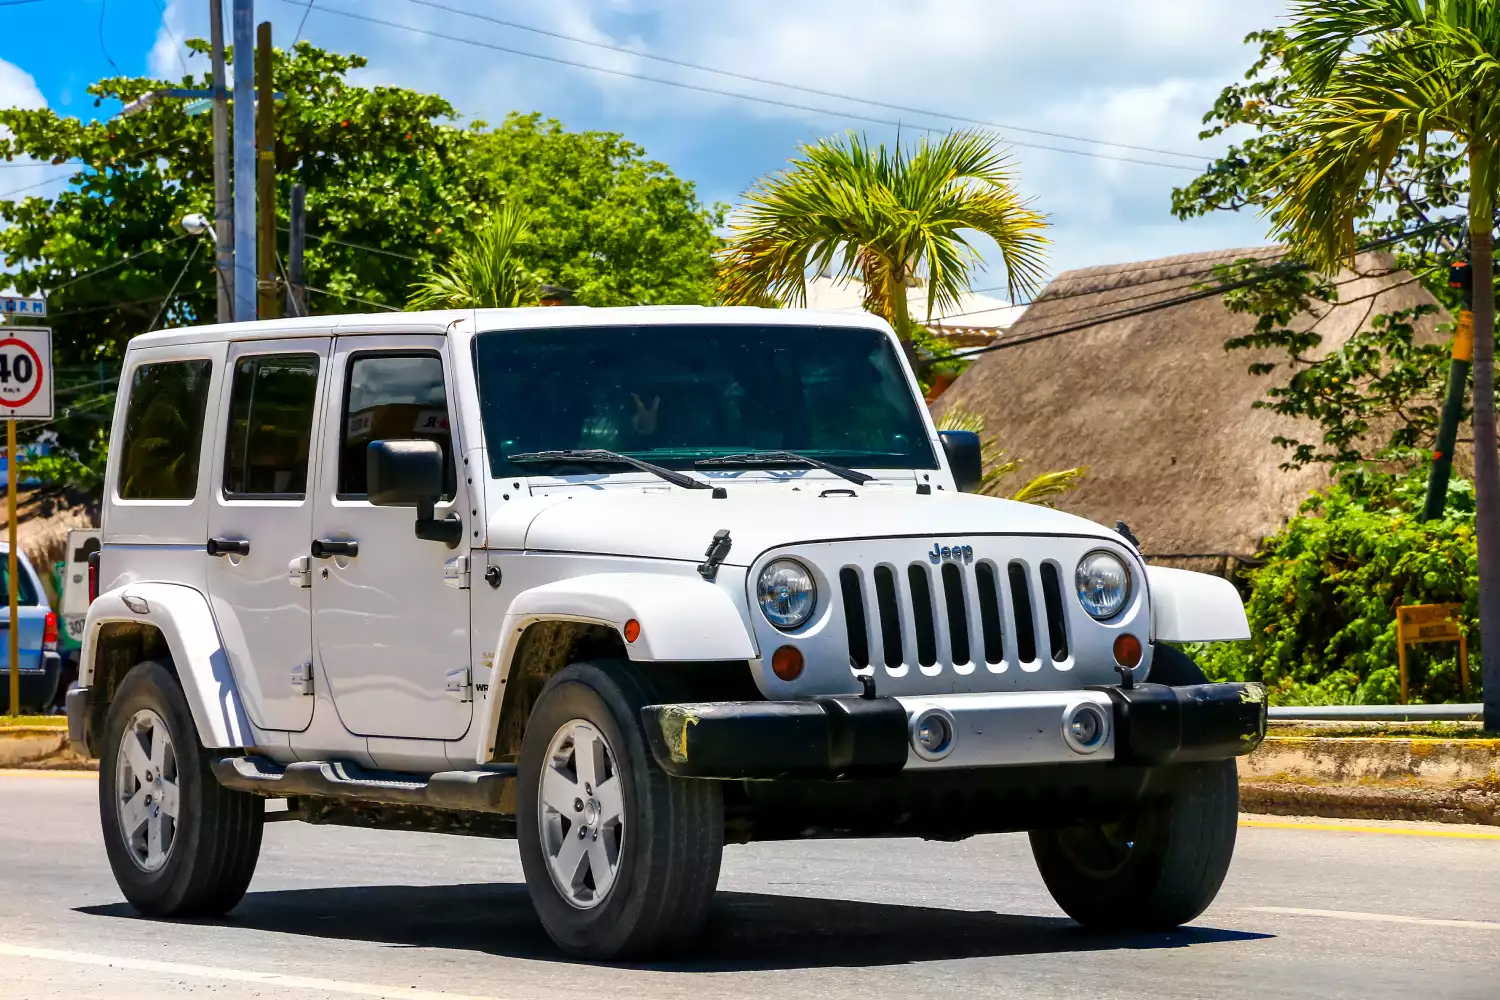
x=26, y=394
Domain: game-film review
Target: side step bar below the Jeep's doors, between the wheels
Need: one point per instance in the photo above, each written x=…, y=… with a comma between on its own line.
x=490, y=791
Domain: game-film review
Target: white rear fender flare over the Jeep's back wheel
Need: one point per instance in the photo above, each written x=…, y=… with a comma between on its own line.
x=173, y=624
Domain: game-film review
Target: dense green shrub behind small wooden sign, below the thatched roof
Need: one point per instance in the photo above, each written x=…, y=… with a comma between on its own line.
x=1324, y=605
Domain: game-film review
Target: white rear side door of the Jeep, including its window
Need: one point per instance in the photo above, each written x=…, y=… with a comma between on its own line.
x=260, y=521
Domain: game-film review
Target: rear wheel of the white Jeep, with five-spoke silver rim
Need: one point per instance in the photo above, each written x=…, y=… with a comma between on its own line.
x=179, y=843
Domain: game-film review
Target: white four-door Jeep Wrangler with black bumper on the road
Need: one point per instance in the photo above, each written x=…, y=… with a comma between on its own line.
x=625, y=585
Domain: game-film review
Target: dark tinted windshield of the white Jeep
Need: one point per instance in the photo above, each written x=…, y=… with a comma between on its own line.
x=674, y=395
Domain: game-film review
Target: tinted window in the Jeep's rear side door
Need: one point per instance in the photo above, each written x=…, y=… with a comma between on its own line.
x=271, y=427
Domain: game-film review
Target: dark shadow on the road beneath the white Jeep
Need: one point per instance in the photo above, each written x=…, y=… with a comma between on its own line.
x=748, y=932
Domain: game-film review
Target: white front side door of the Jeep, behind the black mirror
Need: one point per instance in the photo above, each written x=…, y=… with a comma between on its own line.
x=392, y=638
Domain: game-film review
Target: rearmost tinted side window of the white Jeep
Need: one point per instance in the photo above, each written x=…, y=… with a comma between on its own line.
x=164, y=431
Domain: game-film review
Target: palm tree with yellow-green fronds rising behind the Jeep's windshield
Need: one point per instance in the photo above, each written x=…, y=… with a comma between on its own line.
x=887, y=220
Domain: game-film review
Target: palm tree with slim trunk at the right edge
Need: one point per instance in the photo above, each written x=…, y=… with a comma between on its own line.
x=1375, y=77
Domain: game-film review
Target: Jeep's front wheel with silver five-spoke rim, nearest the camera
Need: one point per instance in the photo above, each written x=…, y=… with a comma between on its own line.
x=622, y=860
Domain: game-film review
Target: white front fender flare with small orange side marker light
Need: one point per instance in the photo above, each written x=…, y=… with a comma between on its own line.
x=682, y=620
